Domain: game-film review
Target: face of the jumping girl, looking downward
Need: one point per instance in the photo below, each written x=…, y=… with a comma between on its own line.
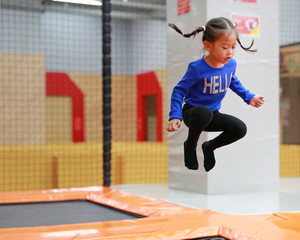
x=222, y=50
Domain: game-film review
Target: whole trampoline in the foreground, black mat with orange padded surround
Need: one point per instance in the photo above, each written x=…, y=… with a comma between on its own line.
x=104, y=213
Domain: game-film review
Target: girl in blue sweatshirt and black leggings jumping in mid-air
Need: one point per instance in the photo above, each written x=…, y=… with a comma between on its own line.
x=202, y=89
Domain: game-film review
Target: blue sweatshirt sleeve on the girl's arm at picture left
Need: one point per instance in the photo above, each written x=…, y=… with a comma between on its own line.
x=180, y=91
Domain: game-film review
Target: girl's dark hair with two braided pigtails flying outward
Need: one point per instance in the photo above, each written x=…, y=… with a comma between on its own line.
x=212, y=31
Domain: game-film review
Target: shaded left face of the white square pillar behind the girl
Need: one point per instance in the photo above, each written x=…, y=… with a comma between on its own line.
x=181, y=51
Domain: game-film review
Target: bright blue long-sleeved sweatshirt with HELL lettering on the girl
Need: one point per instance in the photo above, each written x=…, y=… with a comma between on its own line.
x=203, y=85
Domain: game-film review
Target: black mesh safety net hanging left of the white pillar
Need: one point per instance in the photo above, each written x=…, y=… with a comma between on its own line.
x=51, y=94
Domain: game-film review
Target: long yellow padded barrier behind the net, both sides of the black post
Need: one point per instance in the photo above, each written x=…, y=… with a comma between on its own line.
x=78, y=165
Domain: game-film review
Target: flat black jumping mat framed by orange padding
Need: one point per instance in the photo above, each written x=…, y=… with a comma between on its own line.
x=58, y=213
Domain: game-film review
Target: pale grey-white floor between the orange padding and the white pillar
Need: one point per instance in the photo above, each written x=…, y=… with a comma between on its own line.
x=285, y=200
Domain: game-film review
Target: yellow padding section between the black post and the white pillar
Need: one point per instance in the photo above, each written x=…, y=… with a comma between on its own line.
x=143, y=162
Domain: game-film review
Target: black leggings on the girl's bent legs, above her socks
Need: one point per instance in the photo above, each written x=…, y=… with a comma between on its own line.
x=199, y=119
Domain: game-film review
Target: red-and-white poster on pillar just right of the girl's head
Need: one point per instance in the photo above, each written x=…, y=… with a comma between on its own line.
x=248, y=25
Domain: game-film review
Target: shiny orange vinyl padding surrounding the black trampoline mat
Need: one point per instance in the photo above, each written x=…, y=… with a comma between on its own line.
x=162, y=220
